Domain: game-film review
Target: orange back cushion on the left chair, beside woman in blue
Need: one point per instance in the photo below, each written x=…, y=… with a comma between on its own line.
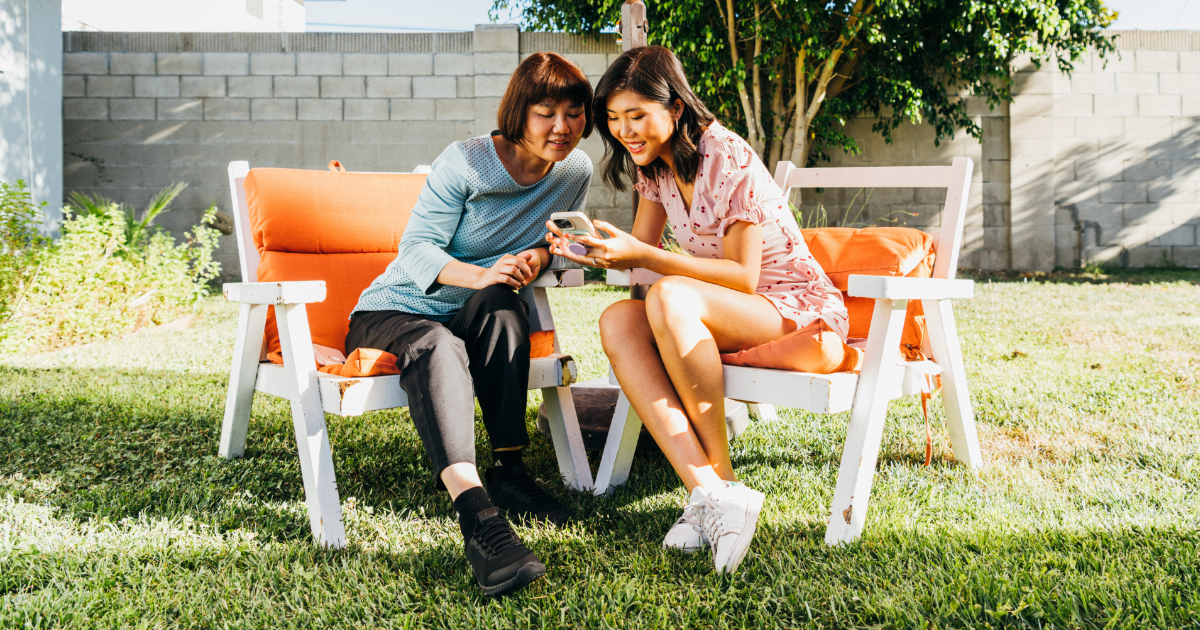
x=339, y=227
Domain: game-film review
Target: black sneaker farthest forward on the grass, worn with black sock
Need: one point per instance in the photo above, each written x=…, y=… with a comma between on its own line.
x=501, y=562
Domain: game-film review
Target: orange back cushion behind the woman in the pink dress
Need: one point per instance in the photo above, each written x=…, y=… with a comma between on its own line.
x=875, y=253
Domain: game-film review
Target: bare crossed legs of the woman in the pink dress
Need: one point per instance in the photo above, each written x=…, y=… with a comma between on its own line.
x=686, y=413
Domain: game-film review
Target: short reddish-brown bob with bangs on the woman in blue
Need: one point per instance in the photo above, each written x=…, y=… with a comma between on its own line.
x=542, y=77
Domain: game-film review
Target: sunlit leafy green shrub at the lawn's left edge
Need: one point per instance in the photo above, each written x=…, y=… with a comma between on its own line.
x=110, y=275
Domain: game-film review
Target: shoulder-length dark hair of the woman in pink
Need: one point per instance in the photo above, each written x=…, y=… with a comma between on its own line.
x=652, y=73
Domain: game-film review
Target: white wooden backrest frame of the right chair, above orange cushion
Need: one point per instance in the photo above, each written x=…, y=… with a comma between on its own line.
x=955, y=178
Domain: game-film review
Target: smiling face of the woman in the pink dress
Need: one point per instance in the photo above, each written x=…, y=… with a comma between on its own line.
x=643, y=127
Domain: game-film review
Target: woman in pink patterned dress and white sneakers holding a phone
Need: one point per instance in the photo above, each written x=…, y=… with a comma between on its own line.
x=749, y=280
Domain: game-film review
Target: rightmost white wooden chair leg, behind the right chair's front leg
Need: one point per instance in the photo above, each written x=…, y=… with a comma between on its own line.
x=944, y=339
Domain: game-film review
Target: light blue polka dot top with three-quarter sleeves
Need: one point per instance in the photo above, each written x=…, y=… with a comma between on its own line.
x=471, y=211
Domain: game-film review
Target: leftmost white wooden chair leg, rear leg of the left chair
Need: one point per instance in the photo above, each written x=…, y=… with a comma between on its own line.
x=243, y=375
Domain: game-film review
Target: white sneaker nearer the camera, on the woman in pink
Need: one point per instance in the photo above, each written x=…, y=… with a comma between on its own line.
x=729, y=519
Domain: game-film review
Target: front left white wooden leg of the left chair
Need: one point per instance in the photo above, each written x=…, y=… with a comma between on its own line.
x=309, y=421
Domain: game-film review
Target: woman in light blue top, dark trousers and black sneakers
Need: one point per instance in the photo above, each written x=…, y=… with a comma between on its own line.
x=448, y=310
